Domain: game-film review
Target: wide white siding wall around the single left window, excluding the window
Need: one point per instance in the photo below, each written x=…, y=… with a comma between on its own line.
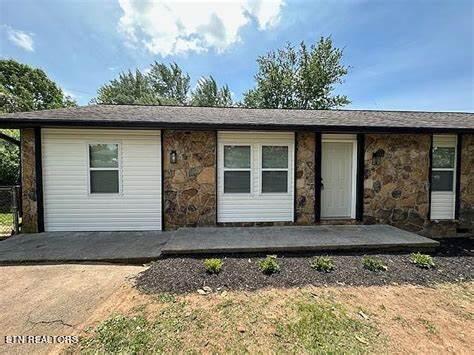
x=68, y=203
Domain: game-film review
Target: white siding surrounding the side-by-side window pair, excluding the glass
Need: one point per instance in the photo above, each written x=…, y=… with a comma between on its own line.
x=255, y=206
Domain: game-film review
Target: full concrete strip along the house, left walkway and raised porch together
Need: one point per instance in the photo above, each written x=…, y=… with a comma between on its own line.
x=141, y=247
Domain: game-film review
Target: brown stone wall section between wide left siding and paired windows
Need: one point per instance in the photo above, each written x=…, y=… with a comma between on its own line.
x=190, y=183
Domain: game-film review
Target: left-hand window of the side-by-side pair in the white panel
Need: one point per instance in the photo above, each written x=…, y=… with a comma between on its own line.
x=237, y=169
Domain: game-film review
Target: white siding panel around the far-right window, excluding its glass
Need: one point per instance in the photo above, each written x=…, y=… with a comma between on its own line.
x=443, y=202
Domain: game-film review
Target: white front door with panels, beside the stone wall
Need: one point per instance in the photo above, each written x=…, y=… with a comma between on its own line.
x=337, y=179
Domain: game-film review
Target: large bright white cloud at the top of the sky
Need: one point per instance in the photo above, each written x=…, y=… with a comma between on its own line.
x=168, y=27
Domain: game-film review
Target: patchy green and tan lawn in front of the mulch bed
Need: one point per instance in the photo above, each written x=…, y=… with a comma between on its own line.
x=389, y=319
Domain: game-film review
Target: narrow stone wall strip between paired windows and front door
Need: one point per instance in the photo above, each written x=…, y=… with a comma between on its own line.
x=305, y=150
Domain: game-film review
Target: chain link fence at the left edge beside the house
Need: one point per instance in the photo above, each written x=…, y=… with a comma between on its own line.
x=9, y=211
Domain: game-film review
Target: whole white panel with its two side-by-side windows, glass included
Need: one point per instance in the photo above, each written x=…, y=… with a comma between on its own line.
x=264, y=189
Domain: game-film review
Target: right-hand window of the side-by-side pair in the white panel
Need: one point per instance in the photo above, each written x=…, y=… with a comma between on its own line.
x=274, y=168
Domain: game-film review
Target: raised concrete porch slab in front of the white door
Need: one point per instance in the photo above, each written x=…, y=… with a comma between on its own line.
x=294, y=238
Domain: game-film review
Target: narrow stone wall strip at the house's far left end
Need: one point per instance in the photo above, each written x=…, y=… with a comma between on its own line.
x=28, y=181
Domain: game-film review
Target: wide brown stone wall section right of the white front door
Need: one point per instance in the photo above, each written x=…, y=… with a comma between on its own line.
x=396, y=179
